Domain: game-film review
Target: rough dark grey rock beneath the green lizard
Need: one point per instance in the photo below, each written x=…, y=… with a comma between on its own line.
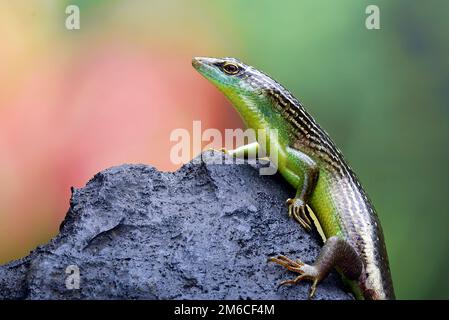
x=203, y=232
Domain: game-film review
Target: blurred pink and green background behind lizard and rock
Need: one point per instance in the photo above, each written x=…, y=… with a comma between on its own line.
x=74, y=102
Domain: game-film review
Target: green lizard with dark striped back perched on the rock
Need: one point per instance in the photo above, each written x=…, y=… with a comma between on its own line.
x=327, y=188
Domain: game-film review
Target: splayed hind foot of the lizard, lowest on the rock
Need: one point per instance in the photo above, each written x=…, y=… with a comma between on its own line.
x=306, y=272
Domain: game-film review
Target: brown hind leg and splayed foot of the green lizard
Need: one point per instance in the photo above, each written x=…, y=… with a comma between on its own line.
x=336, y=252
